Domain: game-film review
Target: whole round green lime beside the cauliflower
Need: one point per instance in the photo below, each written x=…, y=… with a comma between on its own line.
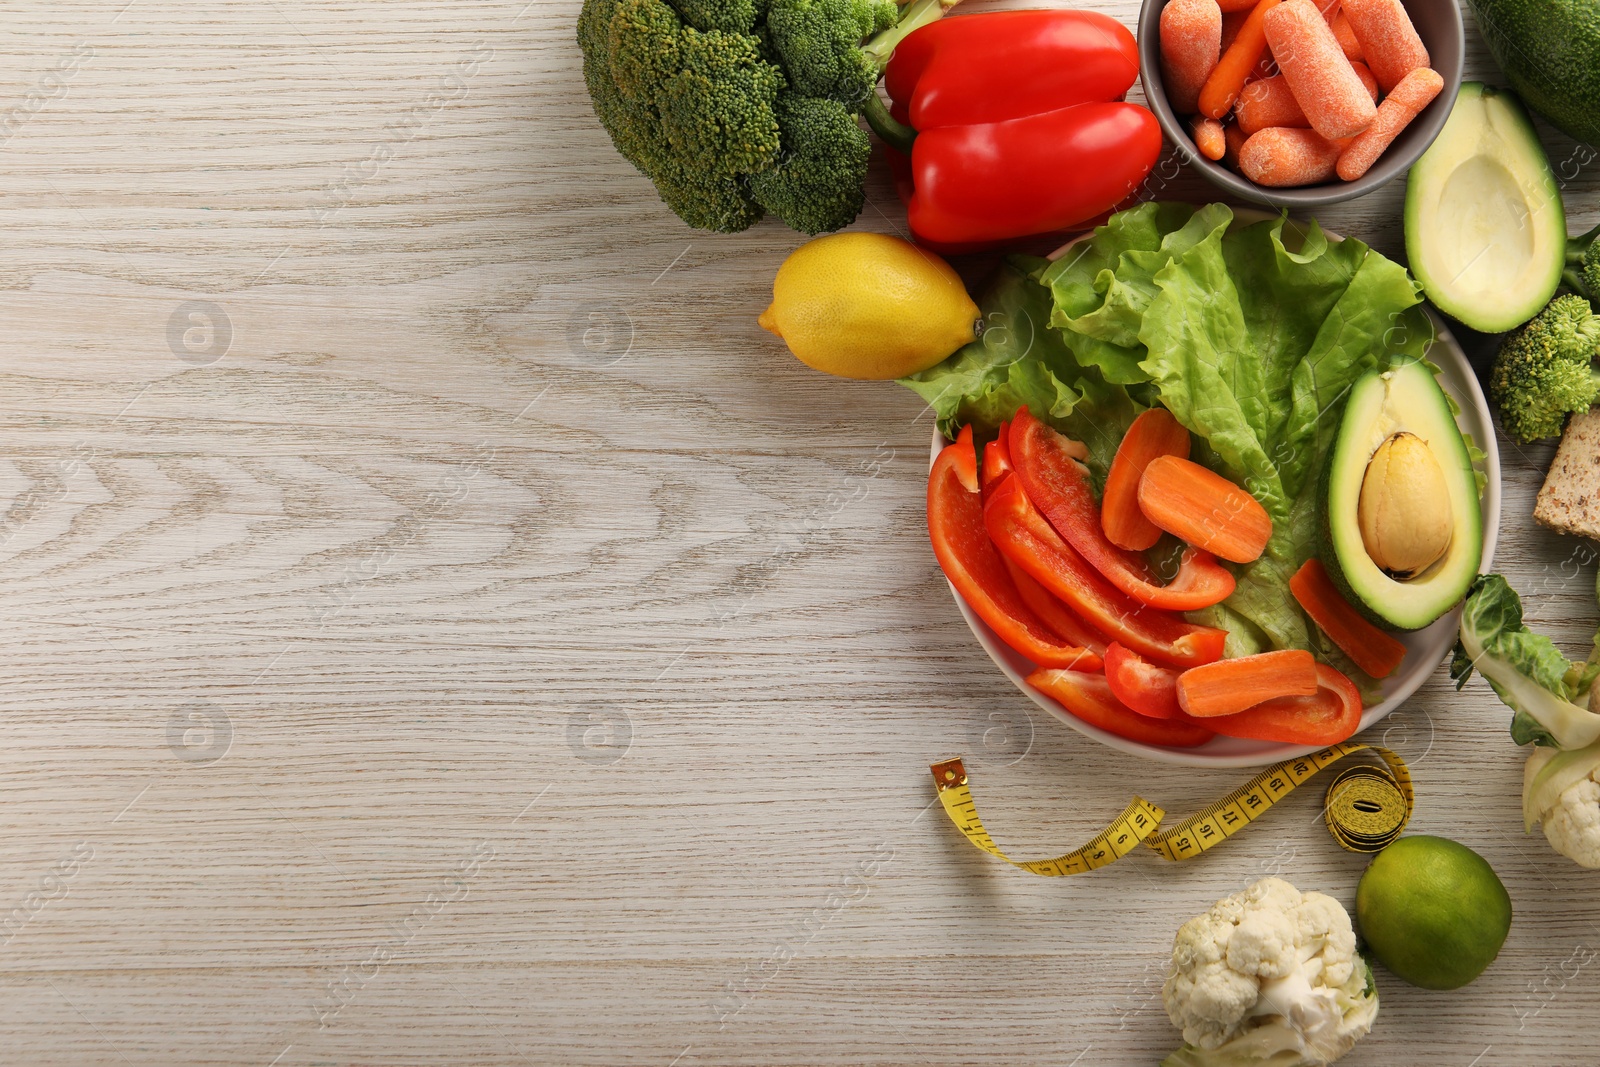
x=1433, y=913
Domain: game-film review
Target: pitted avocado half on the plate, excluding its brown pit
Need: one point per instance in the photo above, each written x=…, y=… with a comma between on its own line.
x=1383, y=404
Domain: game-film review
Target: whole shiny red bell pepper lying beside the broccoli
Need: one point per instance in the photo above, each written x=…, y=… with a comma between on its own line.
x=1017, y=124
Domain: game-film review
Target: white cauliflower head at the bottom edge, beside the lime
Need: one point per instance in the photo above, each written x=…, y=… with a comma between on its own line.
x=1268, y=977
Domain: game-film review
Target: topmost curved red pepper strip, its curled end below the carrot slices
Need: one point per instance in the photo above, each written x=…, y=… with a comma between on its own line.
x=1062, y=490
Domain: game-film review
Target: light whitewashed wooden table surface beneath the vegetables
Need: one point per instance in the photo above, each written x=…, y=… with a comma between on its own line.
x=444, y=629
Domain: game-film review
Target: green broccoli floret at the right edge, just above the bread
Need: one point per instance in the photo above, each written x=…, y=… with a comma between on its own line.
x=1545, y=370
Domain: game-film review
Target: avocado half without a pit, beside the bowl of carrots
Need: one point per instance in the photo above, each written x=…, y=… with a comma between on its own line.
x=1484, y=222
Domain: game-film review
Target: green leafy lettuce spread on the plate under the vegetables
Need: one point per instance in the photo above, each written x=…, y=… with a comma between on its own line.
x=1250, y=343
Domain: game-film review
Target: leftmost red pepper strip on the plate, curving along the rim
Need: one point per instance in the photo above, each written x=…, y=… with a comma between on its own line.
x=956, y=524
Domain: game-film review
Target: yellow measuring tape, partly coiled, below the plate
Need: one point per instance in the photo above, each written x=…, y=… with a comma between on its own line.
x=1366, y=812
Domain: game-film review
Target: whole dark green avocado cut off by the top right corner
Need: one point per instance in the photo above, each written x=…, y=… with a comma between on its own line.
x=1551, y=54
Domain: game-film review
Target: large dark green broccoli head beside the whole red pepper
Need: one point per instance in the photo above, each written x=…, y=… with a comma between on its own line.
x=738, y=108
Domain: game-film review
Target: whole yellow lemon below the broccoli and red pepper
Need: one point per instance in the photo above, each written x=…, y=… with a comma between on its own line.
x=870, y=306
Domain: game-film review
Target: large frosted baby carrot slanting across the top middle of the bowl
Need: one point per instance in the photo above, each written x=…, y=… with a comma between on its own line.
x=1326, y=86
